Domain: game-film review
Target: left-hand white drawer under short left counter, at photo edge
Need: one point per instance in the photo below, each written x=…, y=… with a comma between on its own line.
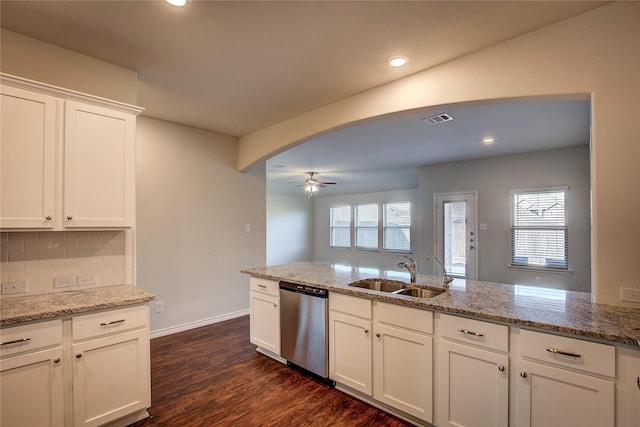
x=19, y=339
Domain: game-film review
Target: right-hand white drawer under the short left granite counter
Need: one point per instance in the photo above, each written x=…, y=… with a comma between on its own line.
x=108, y=322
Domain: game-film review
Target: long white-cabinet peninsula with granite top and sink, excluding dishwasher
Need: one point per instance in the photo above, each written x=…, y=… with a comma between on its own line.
x=480, y=353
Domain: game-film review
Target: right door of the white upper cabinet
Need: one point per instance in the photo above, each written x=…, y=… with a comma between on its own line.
x=99, y=167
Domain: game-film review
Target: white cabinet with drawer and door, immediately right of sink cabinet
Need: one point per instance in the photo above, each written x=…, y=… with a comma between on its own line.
x=473, y=366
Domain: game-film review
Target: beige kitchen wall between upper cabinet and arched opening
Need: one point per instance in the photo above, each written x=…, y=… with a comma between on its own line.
x=192, y=207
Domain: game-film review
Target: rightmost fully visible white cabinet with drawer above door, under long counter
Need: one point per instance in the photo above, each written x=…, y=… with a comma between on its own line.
x=564, y=382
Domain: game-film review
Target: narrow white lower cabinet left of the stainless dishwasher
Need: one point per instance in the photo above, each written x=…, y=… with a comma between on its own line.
x=264, y=318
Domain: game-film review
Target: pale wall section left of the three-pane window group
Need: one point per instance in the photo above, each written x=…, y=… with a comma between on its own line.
x=289, y=229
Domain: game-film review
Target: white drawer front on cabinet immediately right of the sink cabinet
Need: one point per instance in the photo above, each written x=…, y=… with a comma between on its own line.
x=475, y=332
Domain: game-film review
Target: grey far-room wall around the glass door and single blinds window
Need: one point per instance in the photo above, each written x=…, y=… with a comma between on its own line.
x=492, y=178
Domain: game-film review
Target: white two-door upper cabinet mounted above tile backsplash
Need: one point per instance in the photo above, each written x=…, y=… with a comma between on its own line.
x=68, y=159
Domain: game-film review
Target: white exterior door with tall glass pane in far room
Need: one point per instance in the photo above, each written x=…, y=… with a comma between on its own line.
x=456, y=234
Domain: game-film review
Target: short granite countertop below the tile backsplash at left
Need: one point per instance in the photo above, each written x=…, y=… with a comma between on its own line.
x=32, y=308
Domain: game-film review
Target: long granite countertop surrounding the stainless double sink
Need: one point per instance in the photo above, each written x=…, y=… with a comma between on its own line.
x=558, y=311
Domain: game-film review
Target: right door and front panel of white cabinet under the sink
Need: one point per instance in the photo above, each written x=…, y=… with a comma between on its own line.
x=403, y=359
